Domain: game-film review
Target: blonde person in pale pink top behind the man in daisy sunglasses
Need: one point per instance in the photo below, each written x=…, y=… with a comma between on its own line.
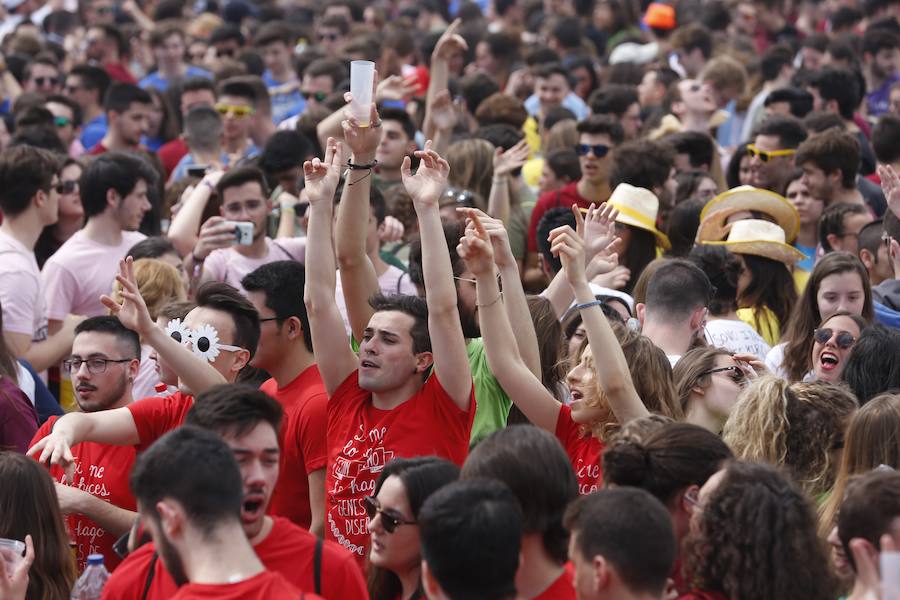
x=159, y=283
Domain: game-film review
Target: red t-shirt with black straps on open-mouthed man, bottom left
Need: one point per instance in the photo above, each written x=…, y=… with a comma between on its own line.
x=288, y=549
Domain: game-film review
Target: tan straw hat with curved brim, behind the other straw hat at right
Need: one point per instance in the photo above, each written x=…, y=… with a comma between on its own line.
x=745, y=198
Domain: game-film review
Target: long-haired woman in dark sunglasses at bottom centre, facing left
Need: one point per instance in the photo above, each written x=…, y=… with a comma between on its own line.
x=395, y=557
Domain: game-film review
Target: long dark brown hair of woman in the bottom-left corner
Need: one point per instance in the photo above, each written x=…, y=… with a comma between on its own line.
x=28, y=505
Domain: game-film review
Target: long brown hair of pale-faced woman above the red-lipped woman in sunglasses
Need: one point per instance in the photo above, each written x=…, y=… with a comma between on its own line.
x=806, y=317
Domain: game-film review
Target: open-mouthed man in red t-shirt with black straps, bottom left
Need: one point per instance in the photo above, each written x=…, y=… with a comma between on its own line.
x=248, y=421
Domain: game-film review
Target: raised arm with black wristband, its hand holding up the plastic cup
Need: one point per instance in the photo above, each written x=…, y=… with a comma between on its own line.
x=358, y=278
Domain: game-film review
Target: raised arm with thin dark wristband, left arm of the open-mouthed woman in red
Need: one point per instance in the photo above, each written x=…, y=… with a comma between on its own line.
x=500, y=345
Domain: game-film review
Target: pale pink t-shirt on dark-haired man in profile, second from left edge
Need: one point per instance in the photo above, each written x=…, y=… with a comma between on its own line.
x=80, y=272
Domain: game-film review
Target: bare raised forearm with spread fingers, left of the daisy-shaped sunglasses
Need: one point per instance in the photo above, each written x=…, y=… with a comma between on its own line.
x=195, y=372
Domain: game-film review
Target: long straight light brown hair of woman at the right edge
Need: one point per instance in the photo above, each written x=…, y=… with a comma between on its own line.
x=872, y=439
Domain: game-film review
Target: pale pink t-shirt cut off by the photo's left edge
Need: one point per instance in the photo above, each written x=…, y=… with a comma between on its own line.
x=20, y=290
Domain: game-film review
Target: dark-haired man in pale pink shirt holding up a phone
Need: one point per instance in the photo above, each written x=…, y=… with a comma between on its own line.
x=245, y=199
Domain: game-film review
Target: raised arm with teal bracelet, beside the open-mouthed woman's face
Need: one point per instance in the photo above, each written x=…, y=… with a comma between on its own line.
x=612, y=369
